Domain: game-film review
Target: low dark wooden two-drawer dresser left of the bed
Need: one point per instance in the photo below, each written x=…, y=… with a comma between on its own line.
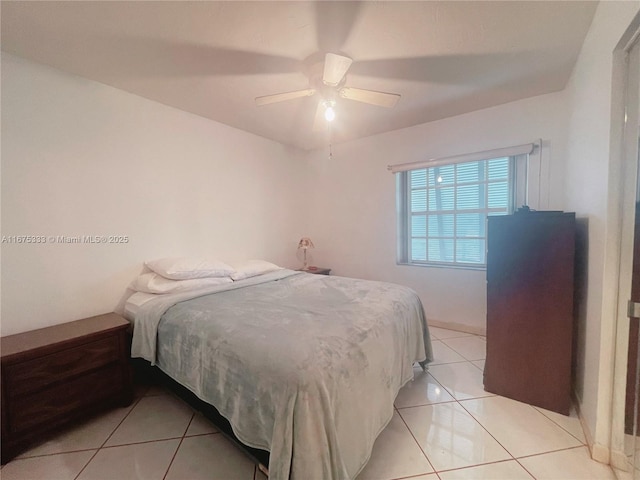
x=58, y=374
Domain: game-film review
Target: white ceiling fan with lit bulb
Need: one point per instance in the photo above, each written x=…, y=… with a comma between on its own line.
x=330, y=86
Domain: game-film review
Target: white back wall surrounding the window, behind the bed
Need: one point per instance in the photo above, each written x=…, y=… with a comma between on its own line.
x=353, y=204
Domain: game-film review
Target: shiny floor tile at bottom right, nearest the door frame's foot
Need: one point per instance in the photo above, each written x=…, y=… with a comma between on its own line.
x=573, y=464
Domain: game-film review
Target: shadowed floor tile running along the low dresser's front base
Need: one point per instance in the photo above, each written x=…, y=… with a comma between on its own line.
x=90, y=434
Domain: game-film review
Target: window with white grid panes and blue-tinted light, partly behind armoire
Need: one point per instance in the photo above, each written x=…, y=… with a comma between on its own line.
x=443, y=209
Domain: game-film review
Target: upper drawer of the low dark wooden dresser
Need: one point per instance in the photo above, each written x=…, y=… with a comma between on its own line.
x=32, y=375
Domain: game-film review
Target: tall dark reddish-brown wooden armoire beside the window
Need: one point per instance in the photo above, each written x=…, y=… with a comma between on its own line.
x=530, y=284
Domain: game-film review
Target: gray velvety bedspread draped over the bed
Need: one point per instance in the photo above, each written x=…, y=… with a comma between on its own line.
x=304, y=366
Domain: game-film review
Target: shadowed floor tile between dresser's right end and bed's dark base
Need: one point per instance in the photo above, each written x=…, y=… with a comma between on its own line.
x=153, y=418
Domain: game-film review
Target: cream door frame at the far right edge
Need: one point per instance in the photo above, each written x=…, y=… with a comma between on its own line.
x=623, y=172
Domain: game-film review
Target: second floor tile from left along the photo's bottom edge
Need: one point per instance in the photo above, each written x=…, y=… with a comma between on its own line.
x=148, y=461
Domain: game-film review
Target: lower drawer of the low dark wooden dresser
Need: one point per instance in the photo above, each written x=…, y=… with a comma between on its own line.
x=41, y=408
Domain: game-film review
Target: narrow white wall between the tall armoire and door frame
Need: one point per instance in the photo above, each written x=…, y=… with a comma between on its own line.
x=590, y=194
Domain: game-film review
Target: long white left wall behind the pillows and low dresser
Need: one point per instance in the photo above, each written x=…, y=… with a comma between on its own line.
x=82, y=158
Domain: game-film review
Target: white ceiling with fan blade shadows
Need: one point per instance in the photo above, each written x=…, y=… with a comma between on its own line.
x=214, y=58
